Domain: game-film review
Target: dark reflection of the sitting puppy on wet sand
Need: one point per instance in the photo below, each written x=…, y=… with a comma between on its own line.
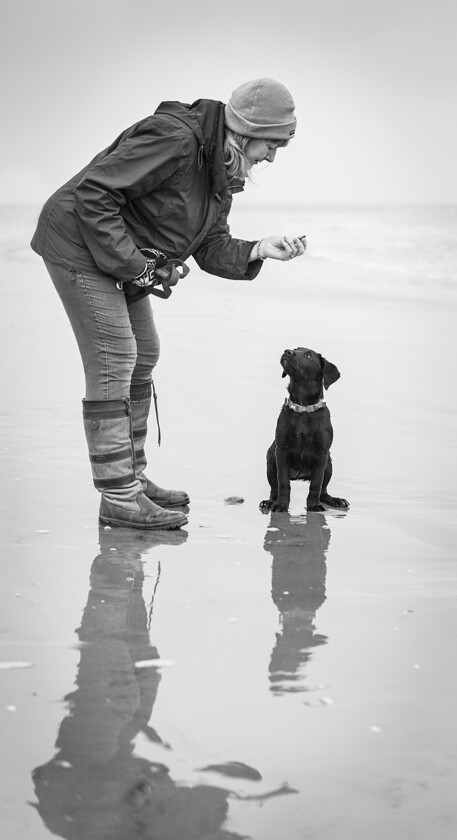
x=298, y=549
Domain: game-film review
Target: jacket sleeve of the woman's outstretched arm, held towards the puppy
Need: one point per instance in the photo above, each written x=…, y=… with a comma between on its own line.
x=222, y=254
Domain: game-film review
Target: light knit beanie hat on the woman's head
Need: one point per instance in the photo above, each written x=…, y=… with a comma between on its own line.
x=262, y=108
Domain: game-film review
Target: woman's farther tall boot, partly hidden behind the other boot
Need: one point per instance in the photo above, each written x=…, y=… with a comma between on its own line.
x=140, y=395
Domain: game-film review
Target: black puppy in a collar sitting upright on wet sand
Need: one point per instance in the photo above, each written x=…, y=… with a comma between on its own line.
x=304, y=433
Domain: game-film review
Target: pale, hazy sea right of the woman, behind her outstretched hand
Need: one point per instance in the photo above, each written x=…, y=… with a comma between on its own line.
x=416, y=242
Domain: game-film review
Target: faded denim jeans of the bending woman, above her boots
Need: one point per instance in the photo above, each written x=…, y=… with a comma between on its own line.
x=119, y=345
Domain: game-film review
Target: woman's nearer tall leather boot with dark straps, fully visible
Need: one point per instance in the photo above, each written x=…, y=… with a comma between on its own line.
x=107, y=424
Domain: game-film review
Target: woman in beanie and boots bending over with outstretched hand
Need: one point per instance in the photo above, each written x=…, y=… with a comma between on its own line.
x=166, y=183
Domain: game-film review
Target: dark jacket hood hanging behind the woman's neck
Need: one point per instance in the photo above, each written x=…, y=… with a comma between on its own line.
x=206, y=119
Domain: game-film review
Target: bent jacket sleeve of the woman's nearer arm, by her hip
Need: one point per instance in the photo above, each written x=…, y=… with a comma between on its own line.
x=139, y=164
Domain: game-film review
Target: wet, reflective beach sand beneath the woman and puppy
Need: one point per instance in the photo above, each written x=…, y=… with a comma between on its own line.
x=307, y=678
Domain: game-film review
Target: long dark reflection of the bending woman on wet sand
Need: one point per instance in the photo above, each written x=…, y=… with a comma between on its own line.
x=95, y=788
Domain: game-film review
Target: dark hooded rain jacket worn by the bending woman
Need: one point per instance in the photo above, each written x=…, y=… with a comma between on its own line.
x=161, y=184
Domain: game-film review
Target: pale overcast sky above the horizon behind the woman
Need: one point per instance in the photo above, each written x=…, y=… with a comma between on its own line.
x=374, y=83
